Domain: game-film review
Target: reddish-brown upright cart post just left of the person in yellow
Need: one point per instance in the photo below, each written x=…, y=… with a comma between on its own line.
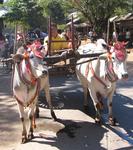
x=49, y=36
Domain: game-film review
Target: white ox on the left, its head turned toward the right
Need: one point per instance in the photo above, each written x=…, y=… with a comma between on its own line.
x=30, y=76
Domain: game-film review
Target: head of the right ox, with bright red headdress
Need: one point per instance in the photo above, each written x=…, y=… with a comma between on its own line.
x=118, y=57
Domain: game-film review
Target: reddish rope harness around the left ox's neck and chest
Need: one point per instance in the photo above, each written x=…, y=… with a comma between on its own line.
x=32, y=82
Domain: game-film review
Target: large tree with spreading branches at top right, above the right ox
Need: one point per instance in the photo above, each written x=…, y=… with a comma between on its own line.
x=99, y=11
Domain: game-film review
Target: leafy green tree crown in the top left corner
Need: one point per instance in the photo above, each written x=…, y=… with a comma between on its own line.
x=27, y=13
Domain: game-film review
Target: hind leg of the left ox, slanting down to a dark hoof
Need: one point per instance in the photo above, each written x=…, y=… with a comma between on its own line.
x=48, y=98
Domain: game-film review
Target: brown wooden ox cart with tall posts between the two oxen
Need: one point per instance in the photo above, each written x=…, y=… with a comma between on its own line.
x=64, y=61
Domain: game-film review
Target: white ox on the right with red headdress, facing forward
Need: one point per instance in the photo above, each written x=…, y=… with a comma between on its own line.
x=100, y=76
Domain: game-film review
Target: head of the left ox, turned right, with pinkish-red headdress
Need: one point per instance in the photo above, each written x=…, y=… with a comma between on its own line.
x=31, y=63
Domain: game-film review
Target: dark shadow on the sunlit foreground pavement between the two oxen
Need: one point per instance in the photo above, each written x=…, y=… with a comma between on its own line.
x=76, y=135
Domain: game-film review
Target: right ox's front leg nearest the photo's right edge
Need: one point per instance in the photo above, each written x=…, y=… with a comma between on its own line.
x=112, y=120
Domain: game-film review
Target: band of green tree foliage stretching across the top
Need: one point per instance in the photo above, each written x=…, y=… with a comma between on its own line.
x=34, y=13
